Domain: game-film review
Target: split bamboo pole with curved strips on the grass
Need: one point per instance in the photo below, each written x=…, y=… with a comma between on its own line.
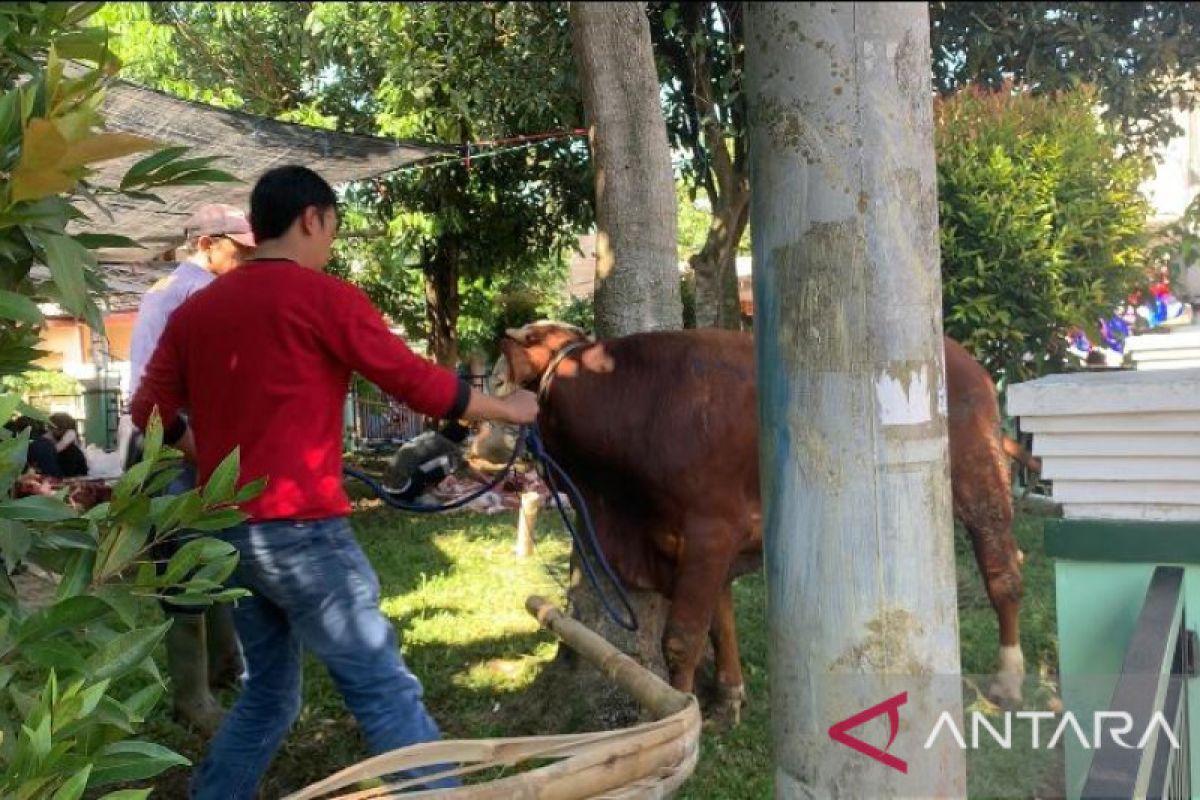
x=647, y=761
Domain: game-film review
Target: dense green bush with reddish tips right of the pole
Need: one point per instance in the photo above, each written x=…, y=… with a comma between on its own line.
x=1042, y=225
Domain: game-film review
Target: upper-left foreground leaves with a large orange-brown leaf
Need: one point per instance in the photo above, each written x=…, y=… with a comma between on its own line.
x=51, y=137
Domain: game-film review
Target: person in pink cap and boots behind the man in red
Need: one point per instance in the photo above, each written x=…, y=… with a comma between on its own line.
x=202, y=647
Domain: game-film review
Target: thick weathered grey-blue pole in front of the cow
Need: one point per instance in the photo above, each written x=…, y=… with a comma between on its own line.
x=853, y=395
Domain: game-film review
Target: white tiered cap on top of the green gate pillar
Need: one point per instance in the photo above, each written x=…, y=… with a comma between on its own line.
x=1118, y=446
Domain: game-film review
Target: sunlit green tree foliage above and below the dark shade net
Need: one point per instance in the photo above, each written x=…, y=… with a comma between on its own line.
x=437, y=248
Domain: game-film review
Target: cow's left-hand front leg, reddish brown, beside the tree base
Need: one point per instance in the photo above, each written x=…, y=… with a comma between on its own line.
x=704, y=568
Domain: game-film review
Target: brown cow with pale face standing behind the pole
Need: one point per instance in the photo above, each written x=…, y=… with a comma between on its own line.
x=661, y=434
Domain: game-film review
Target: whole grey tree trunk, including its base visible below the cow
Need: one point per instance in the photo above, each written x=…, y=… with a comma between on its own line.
x=638, y=282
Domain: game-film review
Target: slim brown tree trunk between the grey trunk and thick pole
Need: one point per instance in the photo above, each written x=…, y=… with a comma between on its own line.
x=716, y=266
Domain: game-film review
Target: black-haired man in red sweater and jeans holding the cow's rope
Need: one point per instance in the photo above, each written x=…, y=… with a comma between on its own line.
x=261, y=360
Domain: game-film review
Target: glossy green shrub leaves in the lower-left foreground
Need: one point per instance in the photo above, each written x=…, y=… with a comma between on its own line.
x=76, y=672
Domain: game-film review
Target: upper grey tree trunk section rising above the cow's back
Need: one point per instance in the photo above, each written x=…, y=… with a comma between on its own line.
x=638, y=274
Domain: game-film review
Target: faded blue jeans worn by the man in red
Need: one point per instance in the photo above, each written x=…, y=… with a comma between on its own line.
x=314, y=588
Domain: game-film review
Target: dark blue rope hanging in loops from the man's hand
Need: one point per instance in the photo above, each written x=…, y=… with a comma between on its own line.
x=532, y=442
